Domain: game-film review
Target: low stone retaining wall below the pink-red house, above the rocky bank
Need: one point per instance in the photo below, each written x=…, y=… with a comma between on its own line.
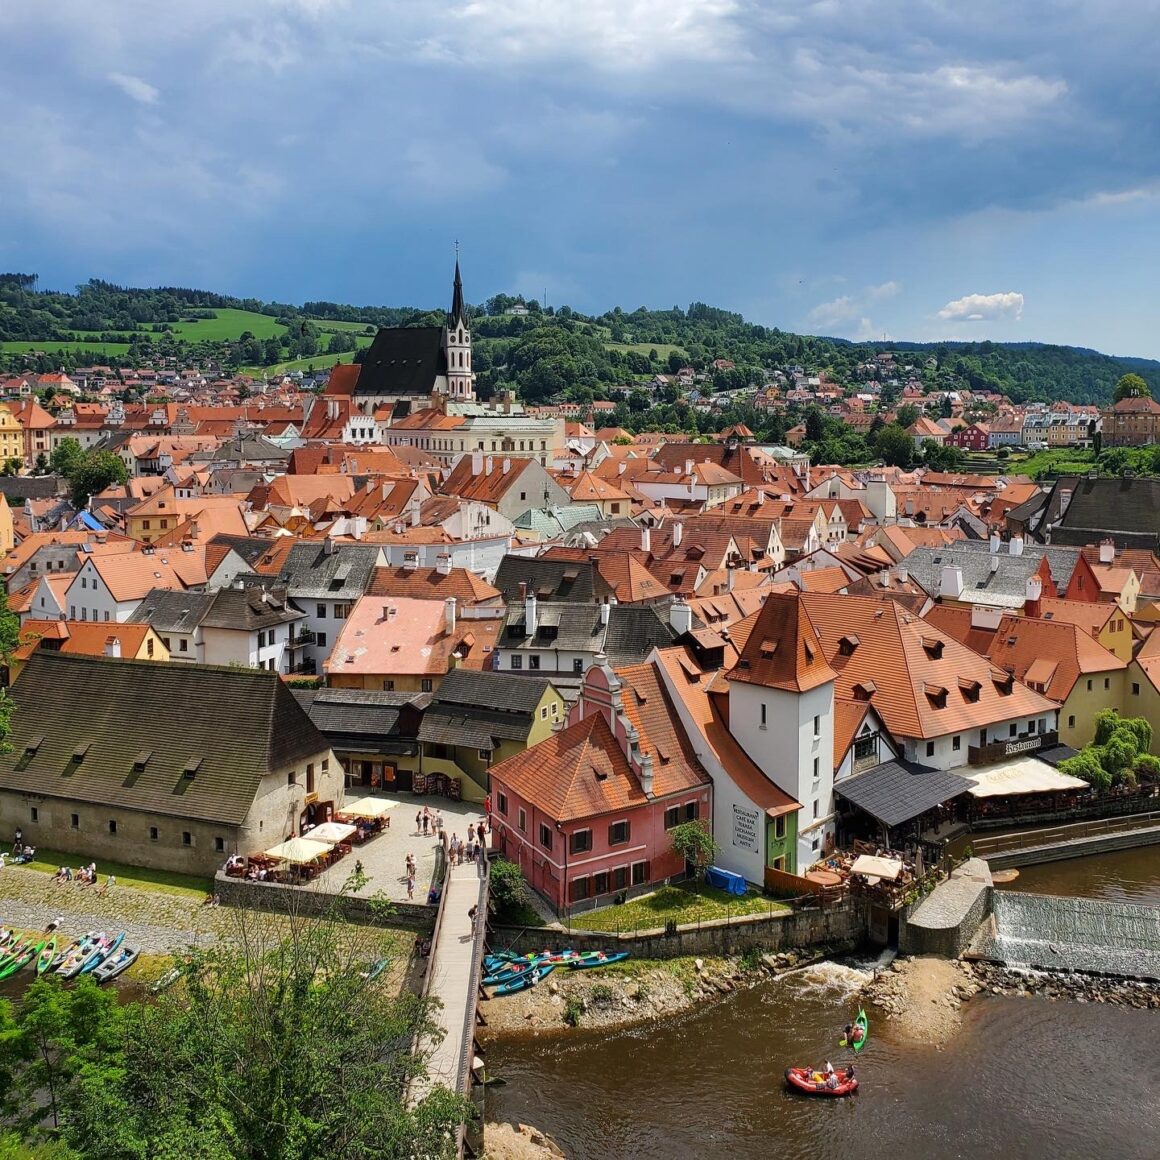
x=842, y=926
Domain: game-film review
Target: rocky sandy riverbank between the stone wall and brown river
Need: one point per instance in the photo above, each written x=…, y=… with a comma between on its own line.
x=630, y=994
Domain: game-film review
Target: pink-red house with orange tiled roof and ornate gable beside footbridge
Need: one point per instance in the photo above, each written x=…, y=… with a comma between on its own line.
x=586, y=814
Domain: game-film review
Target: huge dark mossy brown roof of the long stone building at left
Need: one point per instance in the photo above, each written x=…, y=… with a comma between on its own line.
x=241, y=724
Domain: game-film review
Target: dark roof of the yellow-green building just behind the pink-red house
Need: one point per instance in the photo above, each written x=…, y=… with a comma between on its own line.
x=481, y=709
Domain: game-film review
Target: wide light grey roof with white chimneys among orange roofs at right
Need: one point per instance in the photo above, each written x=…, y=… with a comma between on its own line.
x=1007, y=584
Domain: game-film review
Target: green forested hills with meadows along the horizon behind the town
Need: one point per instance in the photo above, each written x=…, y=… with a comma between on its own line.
x=545, y=354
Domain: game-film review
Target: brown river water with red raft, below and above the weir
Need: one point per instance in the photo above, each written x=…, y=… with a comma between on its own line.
x=1025, y=1078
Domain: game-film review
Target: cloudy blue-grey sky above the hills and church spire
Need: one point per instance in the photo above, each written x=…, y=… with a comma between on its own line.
x=903, y=169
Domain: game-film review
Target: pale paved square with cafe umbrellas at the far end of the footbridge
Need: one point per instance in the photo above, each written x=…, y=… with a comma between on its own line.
x=383, y=857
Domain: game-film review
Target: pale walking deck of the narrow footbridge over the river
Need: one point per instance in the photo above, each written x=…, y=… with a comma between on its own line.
x=452, y=981
